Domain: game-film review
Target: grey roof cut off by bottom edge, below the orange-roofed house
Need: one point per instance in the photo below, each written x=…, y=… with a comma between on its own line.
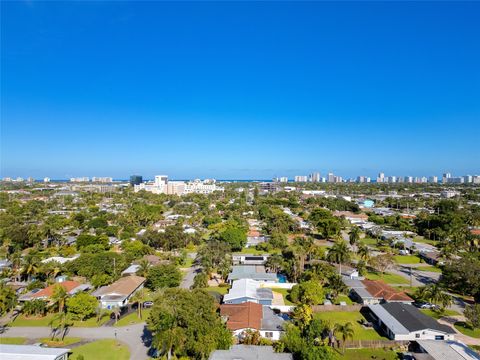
x=249, y=352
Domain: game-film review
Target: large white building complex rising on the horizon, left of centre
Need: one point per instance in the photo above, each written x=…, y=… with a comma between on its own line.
x=161, y=185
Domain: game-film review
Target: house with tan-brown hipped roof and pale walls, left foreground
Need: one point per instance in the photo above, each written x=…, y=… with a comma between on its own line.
x=119, y=293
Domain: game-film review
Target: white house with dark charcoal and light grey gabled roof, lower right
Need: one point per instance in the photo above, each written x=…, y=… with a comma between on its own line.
x=405, y=322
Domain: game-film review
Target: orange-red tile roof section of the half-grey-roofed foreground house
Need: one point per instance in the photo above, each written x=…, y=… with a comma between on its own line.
x=242, y=316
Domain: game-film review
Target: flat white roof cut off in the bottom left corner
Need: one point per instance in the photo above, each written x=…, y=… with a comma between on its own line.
x=30, y=352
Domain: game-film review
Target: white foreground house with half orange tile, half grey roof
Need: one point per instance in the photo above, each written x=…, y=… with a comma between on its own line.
x=252, y=316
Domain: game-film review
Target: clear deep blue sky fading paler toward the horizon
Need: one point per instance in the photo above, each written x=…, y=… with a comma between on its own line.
x=239, y=90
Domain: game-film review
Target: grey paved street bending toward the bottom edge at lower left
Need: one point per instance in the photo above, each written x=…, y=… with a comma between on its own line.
x=136, y=337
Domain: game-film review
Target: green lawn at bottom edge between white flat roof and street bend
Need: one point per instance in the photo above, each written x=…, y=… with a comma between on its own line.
x=102, y=350
